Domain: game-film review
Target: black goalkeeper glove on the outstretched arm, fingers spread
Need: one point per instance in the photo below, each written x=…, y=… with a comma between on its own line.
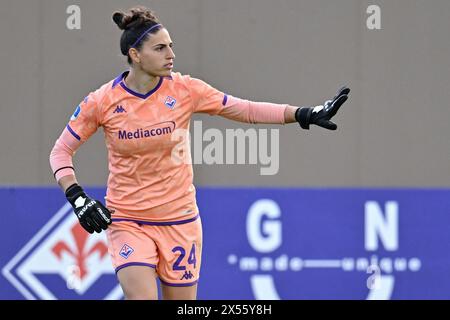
x=321, y=115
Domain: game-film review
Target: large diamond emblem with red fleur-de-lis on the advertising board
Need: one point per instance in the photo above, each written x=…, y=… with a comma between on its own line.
x=62, y=261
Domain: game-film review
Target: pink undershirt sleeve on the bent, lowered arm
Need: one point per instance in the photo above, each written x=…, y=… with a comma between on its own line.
x=62, y=153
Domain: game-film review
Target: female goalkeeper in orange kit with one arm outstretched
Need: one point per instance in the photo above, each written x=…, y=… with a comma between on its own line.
x=155, y=230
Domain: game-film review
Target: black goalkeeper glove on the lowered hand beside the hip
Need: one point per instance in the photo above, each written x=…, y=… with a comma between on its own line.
x=93, y=215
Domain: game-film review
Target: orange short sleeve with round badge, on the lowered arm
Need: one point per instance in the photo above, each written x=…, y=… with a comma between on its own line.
x=85, y=120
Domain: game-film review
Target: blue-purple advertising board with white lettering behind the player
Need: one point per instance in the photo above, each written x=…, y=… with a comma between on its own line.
x=259, y=243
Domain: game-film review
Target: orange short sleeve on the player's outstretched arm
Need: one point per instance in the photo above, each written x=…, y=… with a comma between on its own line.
x=206, y=99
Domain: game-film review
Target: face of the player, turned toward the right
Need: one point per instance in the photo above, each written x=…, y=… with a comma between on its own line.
x=156, y=54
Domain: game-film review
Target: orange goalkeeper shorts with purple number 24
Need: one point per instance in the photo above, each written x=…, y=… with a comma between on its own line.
x=174, y=249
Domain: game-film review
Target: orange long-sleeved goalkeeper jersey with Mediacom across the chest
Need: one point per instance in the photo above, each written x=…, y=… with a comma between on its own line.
x=146, y=183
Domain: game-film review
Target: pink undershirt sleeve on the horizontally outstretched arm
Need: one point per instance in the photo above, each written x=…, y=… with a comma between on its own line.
x=253, y=112
